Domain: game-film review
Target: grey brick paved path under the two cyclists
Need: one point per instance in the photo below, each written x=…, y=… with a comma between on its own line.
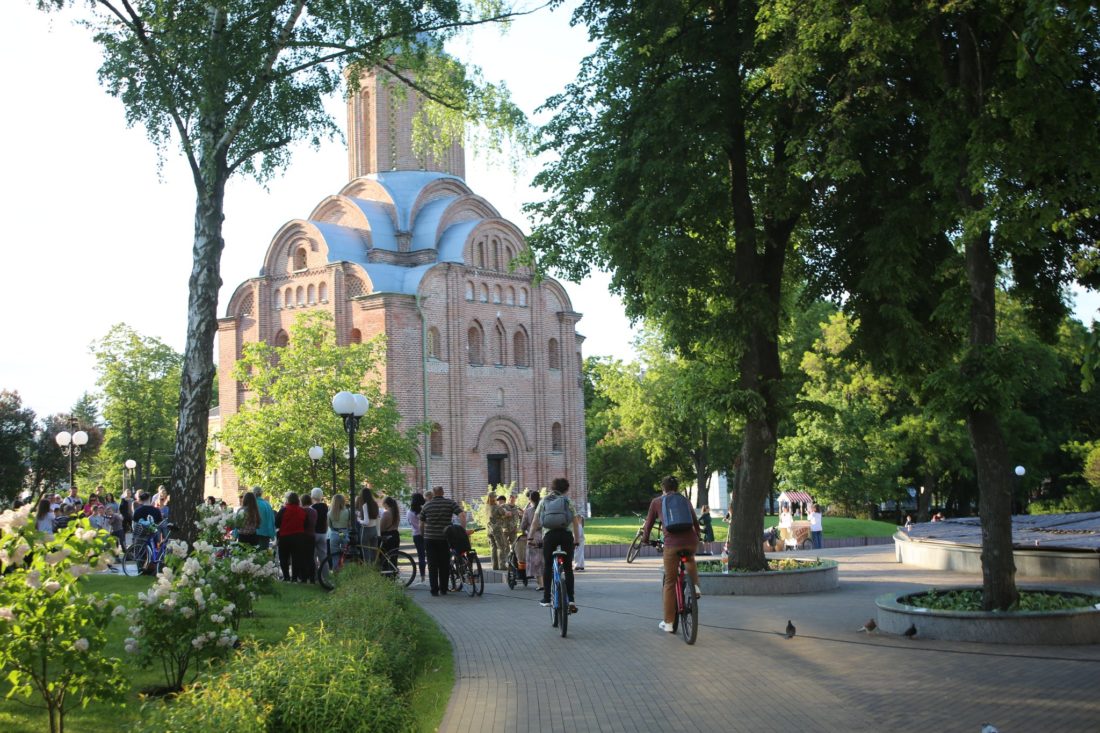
x=743, y=675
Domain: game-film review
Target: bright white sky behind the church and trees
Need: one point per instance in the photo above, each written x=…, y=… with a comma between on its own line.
x=101, y=233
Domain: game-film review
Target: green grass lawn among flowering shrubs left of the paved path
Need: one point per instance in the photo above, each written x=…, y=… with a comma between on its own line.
x=294, y=606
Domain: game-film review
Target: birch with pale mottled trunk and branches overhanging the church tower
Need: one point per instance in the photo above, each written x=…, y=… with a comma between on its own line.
x=235, y=83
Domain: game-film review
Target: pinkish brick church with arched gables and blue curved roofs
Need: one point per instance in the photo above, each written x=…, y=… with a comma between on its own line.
x=476, y=346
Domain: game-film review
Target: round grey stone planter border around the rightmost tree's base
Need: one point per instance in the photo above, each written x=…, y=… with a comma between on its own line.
x=1047, y=628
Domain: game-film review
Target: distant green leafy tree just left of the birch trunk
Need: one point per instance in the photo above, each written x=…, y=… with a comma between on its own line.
x=139, y=382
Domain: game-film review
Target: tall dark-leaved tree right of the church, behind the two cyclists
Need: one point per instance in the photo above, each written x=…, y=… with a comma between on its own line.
x=676, y=172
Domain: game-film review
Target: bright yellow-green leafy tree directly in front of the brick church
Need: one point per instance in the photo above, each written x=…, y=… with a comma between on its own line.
x=288, y=390
